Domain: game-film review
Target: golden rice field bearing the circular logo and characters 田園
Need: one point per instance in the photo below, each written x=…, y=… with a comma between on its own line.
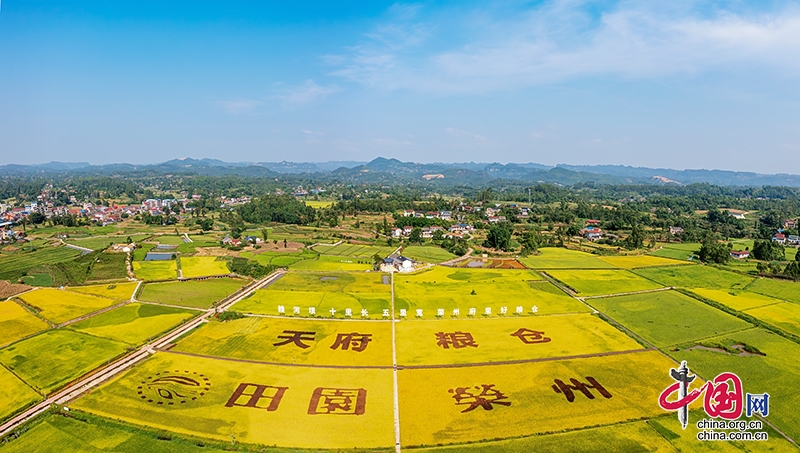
x=297, y=419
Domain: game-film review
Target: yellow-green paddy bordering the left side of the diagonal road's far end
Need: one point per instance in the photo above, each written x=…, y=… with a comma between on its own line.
x=199, y=294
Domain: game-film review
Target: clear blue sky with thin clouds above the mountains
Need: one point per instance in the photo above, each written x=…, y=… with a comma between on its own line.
x=678, y=84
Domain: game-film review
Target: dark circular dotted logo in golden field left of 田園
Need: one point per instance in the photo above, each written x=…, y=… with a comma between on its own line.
x=169, y=388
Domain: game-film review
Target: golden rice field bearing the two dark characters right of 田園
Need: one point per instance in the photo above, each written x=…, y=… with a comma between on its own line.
x=430, y=414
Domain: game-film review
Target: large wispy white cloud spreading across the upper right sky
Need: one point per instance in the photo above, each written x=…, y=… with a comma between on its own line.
x=563, y=39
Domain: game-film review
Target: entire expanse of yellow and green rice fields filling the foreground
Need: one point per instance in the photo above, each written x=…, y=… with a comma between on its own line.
x=581, y=372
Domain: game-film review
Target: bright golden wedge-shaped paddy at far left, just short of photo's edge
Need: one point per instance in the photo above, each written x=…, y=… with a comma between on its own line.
x=58, y=305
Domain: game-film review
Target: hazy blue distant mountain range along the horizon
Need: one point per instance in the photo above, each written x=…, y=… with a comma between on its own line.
x=383, y=170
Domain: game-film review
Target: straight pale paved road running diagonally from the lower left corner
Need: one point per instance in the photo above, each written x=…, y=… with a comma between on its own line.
x=103, y=374
